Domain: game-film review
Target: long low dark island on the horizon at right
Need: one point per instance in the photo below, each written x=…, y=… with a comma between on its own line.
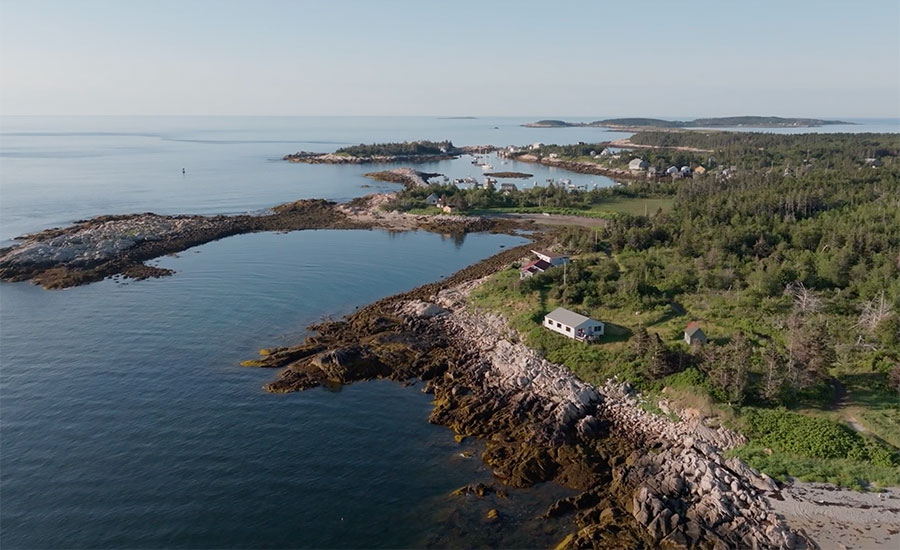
x=719, y=122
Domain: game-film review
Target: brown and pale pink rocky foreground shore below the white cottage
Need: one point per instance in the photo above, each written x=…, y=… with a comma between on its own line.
x=644, y=481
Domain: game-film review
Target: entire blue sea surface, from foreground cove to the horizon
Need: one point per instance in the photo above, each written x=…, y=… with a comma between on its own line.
x=125, y=420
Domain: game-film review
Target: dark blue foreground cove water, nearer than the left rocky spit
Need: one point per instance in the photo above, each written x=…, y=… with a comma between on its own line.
x=127, y=421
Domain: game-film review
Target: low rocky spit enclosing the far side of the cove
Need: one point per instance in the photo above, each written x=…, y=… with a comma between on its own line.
x=91, y=250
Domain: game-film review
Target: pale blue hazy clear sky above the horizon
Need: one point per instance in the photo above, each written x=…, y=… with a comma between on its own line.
x=463, y=58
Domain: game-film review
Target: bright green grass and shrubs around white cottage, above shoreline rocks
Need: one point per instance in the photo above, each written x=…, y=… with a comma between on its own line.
x=849, y=443
